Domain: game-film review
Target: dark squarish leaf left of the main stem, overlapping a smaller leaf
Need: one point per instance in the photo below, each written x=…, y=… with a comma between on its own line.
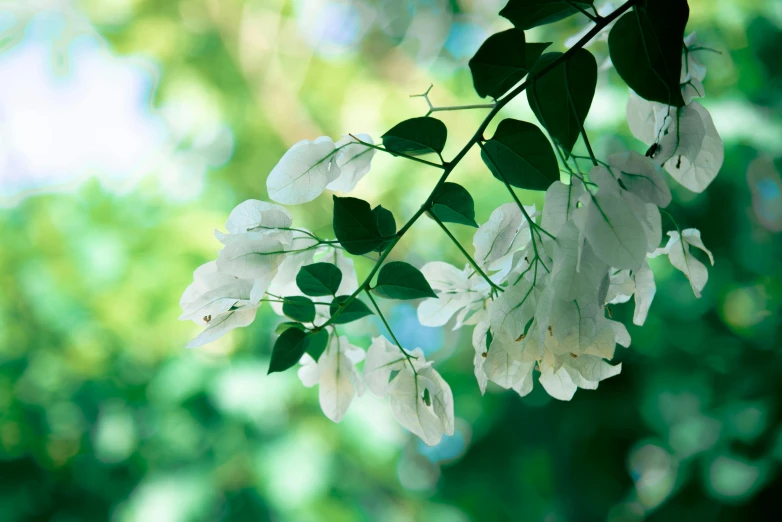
x=355, y=226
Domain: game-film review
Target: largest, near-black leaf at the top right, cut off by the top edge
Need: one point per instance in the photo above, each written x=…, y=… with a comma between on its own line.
x=646, y=49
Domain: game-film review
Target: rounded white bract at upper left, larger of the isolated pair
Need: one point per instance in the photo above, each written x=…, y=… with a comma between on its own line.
x=303, y=172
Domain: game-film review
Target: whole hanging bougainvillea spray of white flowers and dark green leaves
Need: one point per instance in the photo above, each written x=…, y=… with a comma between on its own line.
x=538, y=285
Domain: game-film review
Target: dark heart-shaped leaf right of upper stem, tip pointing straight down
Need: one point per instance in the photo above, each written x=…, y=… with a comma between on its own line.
x=561, y=98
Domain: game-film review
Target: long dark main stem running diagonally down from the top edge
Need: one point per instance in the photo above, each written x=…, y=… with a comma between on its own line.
x=448, y=167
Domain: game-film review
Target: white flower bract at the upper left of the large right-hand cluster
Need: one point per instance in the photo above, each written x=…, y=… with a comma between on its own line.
x=499, y=238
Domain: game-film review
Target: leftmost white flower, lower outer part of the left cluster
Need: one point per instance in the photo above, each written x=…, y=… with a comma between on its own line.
x=219, y=301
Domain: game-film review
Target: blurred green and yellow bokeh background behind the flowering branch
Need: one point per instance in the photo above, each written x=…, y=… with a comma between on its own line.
x=128, y=131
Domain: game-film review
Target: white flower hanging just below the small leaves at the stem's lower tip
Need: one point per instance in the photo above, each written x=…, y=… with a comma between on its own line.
x=336, y=376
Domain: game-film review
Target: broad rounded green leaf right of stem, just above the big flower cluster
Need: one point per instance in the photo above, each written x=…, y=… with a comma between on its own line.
x=520, y=152
